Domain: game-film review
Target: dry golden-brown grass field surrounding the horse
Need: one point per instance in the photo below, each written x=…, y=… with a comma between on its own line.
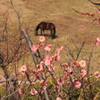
x=69, y=24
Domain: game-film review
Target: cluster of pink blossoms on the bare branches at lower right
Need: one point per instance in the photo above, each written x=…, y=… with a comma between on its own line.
x=71, y=74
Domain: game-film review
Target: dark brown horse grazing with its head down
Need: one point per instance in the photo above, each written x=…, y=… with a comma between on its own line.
x=46, y=26
